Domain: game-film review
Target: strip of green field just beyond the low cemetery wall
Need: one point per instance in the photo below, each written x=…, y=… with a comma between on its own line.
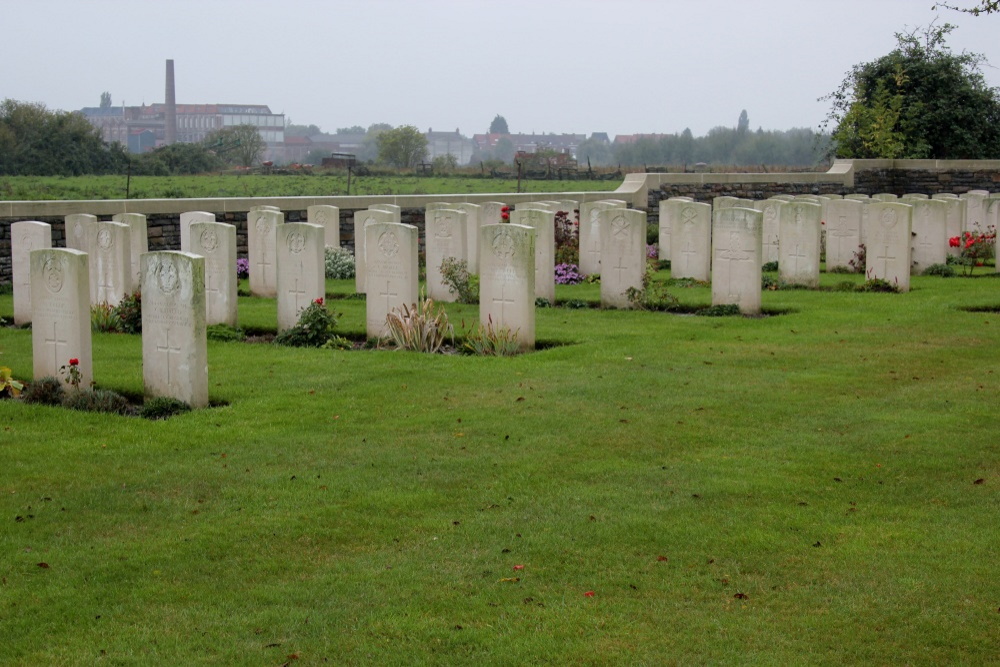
x=33, y=188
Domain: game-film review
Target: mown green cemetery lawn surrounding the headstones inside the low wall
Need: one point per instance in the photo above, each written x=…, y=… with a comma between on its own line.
x=799, y=488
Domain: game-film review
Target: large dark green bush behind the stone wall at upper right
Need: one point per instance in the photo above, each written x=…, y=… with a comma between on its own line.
x=919, y=101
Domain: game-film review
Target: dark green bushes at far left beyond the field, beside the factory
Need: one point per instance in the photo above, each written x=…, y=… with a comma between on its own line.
x=36, y=141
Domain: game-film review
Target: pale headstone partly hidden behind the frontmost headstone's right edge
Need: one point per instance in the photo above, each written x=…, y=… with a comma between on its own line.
x=216, y=242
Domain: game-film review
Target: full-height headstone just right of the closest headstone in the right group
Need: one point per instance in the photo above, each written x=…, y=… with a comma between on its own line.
x=799, y=239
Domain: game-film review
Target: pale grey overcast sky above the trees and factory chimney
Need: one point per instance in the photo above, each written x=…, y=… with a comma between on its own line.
x=616, y=66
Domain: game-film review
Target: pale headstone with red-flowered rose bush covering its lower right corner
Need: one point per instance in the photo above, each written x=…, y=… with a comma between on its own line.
x=301, y=276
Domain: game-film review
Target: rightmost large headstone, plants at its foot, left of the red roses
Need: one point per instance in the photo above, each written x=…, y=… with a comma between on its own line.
x=887, y=255
